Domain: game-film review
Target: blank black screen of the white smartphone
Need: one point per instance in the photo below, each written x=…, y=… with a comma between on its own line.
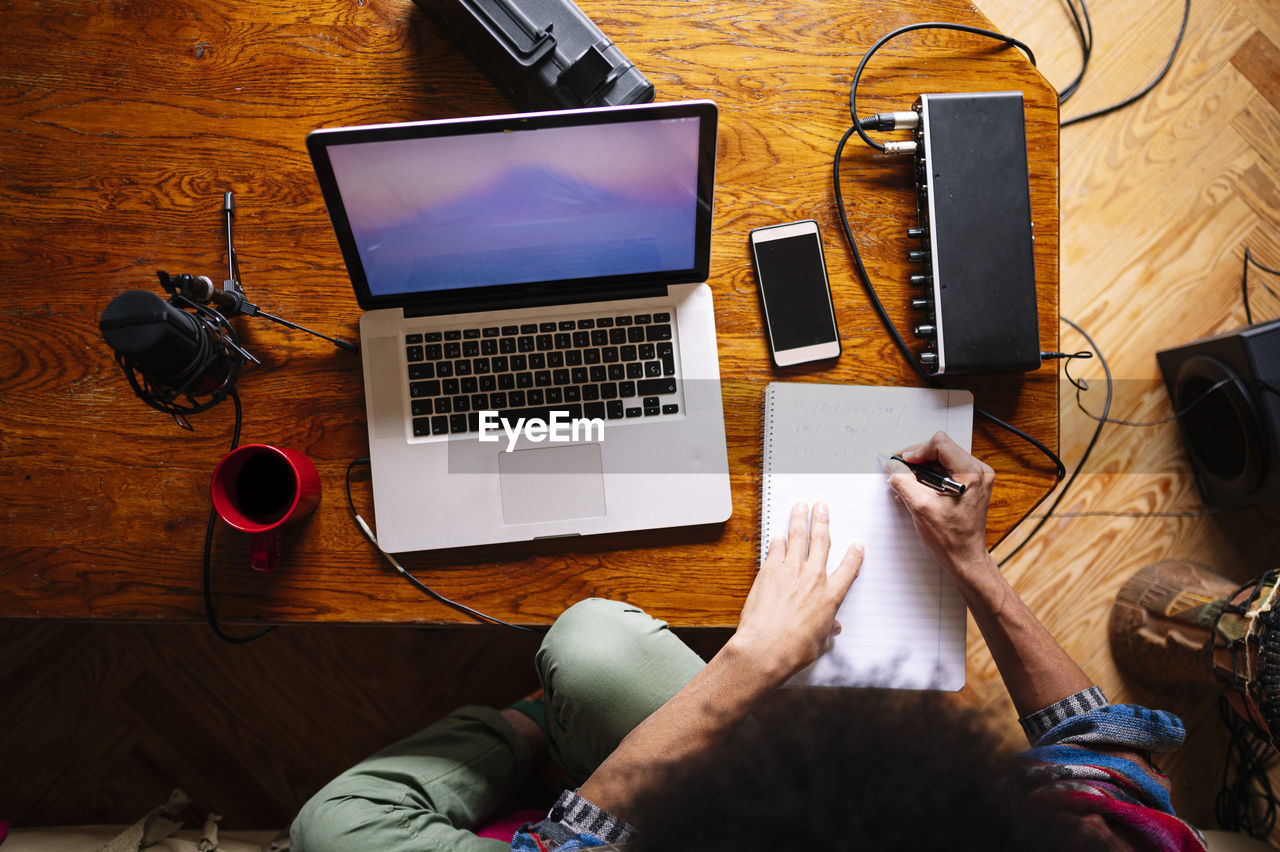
x=797, y=299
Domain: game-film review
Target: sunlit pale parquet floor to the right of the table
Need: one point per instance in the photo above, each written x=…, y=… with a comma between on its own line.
x=1159, y=203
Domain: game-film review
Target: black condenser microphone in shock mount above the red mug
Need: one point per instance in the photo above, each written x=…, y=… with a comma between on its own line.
x=177, y=361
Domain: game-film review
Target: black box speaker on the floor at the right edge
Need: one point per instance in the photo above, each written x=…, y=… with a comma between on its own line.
x=1228, y=392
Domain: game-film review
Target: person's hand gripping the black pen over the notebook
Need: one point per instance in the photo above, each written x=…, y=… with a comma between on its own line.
x=953, y=528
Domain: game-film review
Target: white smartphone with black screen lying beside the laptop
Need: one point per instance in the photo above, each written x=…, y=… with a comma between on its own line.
x=794, y=290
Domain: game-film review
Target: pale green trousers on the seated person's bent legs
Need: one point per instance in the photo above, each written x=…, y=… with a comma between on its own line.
x=605, y=667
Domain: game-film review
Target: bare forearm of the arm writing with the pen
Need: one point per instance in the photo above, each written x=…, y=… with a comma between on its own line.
x=1036, y=670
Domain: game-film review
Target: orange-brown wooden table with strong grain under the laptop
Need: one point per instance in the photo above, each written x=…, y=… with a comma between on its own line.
x=122, y=125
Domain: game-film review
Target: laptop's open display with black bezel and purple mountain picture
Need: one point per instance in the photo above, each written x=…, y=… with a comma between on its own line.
x=441, y=209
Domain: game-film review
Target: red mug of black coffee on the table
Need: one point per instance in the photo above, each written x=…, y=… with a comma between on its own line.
x=262, y=491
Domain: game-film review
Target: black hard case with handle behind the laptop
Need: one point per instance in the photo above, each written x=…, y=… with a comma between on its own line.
x=541, y=54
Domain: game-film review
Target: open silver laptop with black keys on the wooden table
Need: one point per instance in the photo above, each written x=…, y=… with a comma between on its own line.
x=538, y=337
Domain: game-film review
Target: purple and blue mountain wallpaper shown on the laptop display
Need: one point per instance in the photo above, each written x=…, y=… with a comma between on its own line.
x=522, y=207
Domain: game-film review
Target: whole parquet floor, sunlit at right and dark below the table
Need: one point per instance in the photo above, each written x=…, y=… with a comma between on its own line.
x=1159, y=203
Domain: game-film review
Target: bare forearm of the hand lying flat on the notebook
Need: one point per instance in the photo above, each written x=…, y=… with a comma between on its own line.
x=705, y=712
